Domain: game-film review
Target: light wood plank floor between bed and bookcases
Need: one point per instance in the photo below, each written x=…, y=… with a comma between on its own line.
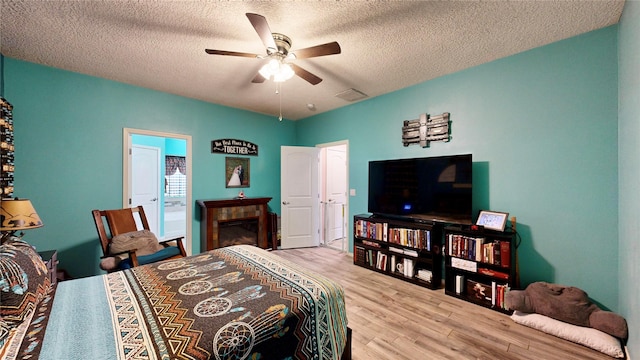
x=393, y=319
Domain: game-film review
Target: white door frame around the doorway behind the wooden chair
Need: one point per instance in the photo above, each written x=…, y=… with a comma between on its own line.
x=126, y=173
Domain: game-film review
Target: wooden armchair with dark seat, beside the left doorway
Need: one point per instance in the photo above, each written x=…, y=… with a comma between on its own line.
x=111, y=223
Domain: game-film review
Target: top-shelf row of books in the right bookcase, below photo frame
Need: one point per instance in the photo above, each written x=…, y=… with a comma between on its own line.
x=479, y=249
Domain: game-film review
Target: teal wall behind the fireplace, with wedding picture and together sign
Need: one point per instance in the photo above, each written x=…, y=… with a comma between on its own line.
x=68, y=137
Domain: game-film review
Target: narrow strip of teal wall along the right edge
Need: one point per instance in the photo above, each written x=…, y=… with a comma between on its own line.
x=629, y=169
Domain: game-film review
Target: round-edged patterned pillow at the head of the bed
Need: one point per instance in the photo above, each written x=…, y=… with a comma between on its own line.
x=24, y=281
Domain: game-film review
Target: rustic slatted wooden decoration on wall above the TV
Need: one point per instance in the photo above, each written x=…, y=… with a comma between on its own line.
x=426, y=129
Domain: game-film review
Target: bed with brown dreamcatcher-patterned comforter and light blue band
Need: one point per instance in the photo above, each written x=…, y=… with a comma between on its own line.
x=237, y=302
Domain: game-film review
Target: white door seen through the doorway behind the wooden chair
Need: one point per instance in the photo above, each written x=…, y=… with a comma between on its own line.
x=145, y=182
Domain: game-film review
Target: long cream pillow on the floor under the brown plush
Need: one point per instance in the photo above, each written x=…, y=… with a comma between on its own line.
x=586, y=336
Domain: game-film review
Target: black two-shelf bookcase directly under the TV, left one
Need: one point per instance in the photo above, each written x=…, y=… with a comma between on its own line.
x=399, y=247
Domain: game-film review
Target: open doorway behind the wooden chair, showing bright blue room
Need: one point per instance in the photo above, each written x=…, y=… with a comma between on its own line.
x=157, y=175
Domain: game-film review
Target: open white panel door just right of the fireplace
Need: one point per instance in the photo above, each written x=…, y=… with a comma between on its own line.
x=300, y=220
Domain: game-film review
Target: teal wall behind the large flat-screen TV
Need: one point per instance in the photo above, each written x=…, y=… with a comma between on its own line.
x=542, y=128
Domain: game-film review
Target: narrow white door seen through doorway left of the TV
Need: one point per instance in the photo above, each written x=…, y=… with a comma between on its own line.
x=336, y=191
